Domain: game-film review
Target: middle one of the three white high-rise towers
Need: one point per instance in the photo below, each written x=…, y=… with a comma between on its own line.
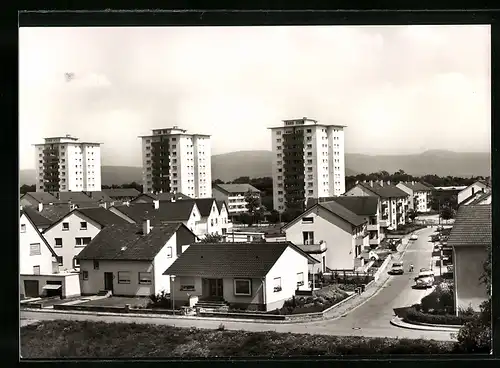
x=176, y=161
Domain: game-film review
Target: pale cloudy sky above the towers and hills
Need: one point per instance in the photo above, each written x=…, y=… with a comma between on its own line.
x=402, y=89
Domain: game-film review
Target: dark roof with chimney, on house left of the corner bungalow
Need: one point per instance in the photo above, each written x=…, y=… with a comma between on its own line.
x=127, y=242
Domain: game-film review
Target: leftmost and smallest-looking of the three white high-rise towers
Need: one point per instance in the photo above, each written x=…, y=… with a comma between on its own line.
x=64, y=164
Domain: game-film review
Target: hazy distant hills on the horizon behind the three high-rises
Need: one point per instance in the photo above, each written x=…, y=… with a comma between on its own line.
x=254, y=164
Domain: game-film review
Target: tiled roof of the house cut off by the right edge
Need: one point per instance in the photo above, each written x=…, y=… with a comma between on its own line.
x=472, y=227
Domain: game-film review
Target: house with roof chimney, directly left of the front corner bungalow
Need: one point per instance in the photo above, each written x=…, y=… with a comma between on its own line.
x=130, y=259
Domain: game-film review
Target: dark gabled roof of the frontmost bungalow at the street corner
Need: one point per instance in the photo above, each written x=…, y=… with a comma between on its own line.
x=250, y=260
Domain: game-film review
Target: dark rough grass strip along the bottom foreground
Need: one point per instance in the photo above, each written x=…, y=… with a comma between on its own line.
x=84, y=339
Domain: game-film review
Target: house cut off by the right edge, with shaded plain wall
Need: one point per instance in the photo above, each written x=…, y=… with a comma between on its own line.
x=471, y=240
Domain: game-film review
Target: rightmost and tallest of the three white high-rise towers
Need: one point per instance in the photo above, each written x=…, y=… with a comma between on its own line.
x=308, y=161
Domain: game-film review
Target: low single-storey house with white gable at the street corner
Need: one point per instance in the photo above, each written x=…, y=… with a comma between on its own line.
x=258, y=276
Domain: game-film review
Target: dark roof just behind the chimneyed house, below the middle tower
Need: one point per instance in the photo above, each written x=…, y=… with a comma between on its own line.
x=168, y=211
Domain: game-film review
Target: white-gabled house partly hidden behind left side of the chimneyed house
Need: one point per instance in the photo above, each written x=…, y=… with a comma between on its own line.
x=73, y=232
